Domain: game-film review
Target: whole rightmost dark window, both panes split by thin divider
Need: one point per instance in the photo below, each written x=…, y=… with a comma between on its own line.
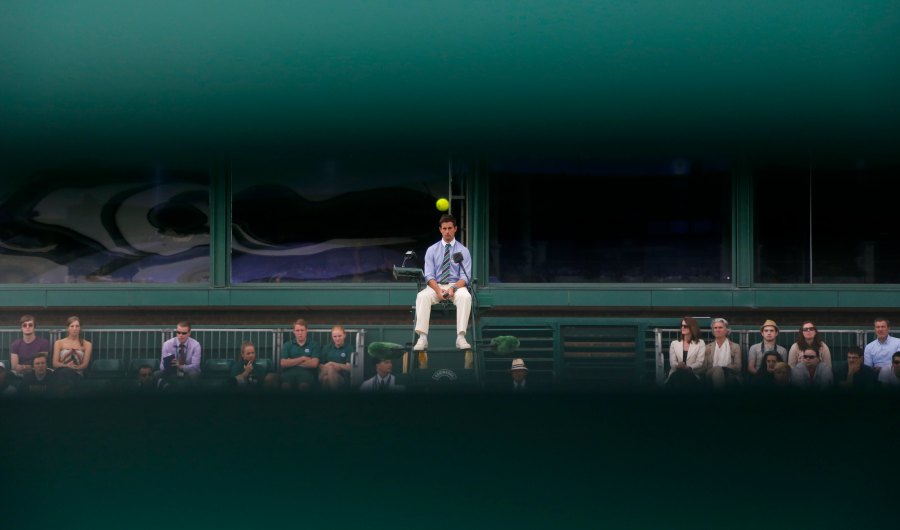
x=850, y=212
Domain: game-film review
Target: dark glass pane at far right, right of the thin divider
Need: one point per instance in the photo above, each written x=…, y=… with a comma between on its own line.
x=854, y=220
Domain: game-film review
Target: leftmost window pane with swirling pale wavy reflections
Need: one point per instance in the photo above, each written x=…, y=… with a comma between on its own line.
x=93, y=224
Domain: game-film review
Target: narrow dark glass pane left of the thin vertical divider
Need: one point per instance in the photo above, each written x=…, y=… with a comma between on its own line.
x=781, y=224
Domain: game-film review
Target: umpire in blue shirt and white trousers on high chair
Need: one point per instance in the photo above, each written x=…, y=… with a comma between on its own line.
x=445, y=280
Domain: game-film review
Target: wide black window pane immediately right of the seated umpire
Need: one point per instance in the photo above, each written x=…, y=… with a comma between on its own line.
x=604, y=221
